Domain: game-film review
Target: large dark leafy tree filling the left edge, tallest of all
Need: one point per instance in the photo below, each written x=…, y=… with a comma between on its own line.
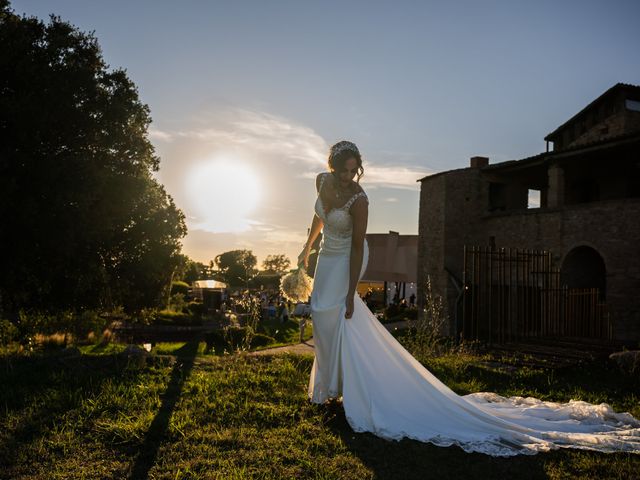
x=85, y=224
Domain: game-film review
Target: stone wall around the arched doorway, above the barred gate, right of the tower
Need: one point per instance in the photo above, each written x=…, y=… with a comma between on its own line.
x=609, y=227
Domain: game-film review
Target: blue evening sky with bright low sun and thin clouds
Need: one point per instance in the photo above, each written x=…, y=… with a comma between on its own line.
x=247, y=97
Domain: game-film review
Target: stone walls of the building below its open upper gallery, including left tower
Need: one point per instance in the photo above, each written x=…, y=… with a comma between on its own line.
x=453, y=212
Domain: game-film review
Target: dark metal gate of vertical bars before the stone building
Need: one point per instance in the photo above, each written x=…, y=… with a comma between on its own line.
x=511, y=294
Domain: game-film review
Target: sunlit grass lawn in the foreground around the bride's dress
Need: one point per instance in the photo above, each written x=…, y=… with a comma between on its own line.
x=241, y=416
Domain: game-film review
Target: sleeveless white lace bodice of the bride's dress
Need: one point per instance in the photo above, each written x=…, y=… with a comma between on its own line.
x=338, y=224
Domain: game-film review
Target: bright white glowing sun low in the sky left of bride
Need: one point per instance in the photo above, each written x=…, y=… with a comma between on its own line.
x=222, y=193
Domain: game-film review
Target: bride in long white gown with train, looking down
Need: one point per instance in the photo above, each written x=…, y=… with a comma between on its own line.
x=387, y=392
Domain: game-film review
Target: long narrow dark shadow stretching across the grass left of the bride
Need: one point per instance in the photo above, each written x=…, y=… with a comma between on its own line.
x=154, y=436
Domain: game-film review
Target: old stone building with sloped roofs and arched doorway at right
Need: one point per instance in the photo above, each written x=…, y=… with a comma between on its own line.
x=579, y=201
